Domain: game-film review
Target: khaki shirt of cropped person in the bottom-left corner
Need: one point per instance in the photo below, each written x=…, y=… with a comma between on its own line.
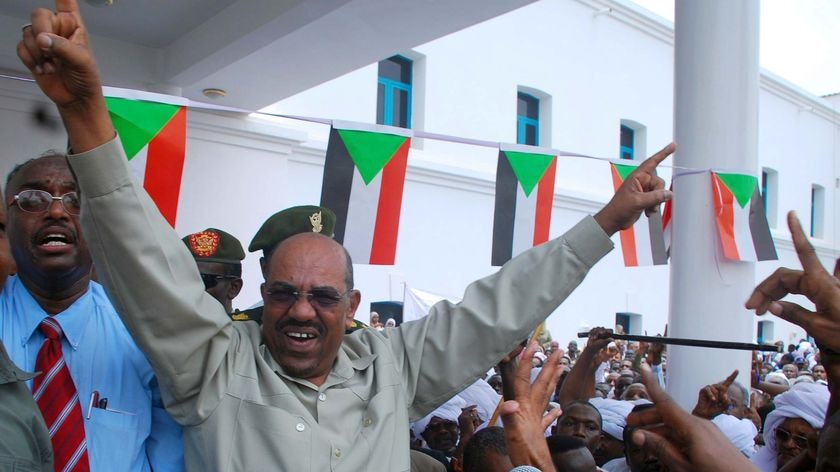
x=24, y=440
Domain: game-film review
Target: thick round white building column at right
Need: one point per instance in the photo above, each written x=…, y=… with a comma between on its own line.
x=716, y=126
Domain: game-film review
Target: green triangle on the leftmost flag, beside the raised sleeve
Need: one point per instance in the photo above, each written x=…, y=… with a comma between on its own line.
x=137, y=121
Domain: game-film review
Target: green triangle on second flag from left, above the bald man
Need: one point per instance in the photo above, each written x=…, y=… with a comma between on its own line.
x=370, y=151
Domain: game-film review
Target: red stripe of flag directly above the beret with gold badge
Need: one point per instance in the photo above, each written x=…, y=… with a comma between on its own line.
x=384, y=245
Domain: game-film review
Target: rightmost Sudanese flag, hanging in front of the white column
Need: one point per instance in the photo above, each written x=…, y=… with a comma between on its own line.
x=741, y=221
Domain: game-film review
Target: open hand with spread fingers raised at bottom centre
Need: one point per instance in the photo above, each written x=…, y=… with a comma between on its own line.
x=523, y=415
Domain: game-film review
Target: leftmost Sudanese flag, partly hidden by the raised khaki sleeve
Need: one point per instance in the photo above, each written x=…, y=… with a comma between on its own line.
x=154, y=136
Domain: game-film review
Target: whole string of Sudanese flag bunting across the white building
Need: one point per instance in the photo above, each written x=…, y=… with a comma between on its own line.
x=364, y=178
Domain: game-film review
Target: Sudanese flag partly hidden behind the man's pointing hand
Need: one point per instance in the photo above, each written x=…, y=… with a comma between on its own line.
x=642, y=244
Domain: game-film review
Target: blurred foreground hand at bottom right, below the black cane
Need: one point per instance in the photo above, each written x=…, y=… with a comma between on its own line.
x=685, y=442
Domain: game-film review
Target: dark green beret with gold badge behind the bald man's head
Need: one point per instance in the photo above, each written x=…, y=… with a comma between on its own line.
x=292, y=221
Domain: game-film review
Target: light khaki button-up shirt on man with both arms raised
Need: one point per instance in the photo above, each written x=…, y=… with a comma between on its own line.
x=241, y=412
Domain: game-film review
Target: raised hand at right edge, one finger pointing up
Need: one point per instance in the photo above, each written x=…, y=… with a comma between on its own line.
x=814, y=282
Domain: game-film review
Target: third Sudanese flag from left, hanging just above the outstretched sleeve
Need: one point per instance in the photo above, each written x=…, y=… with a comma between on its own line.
x=524, y=199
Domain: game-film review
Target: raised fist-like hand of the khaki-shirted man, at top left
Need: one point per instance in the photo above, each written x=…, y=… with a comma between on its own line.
x=56, y=49
